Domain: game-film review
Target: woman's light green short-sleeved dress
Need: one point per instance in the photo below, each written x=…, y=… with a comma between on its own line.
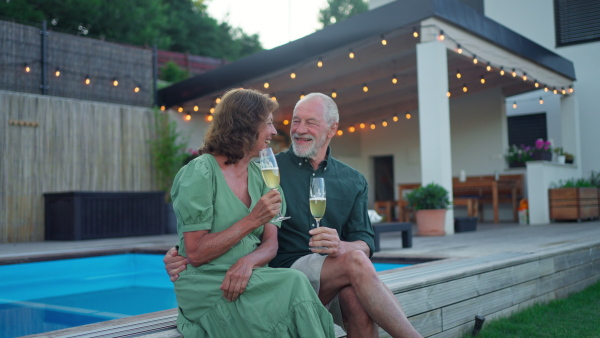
x=276, y=302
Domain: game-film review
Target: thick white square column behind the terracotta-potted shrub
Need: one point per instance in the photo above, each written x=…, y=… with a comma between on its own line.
x=434, y=119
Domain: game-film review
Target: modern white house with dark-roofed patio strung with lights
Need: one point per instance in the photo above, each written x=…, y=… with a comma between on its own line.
x=422, y=88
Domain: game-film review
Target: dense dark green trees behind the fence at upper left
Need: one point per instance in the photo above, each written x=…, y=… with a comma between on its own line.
x=176, y=25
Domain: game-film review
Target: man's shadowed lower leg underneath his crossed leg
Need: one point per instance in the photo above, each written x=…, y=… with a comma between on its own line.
x=356, y=319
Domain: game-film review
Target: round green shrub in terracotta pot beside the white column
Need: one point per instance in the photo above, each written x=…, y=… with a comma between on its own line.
x=430, y=203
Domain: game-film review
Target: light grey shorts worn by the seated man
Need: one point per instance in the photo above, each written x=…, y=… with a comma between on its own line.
x=311, y=266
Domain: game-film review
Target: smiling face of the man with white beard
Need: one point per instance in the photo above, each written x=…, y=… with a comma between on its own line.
x=309, y=131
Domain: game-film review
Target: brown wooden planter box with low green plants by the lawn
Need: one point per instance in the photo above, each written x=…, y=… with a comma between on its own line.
x=575, y=199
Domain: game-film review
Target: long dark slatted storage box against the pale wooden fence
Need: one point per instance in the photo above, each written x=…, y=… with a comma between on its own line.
x=92, y=215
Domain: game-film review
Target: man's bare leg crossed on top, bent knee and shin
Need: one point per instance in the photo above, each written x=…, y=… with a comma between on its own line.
x=355, y=269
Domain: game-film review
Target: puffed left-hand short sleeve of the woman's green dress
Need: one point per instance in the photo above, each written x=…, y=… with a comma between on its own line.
x=193, y=196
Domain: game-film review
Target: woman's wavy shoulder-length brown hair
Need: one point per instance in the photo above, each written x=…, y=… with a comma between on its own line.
x=236, y=122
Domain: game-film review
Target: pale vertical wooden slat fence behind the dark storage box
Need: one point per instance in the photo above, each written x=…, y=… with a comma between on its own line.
x=76, y=146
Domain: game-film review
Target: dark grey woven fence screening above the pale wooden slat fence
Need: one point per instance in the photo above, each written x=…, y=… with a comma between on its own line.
x=75, y=57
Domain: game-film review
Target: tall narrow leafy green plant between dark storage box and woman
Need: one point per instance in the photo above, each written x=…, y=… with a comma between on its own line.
x=168, y=154
